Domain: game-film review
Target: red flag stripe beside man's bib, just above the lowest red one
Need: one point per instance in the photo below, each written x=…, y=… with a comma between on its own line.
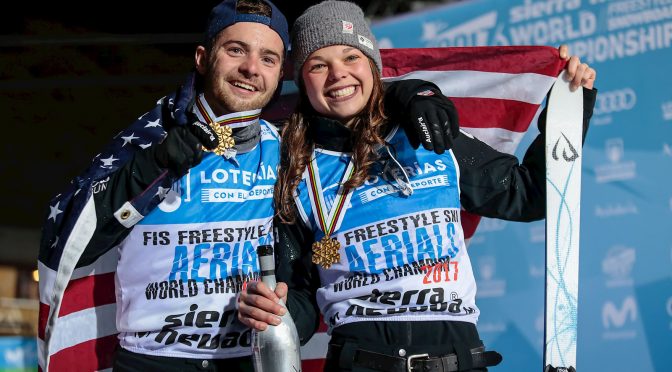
x=88, y=292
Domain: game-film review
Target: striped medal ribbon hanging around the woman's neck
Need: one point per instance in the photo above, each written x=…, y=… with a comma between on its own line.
x=328, y=221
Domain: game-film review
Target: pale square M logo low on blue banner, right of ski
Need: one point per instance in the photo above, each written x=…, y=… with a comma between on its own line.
x=618, y=320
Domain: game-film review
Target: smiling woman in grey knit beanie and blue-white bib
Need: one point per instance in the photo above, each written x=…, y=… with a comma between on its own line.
x=372, y=215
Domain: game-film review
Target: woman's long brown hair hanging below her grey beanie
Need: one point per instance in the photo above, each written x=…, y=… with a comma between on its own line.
x=367, y=129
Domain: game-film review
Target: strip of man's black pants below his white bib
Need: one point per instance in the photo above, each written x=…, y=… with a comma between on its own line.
x=126, y=361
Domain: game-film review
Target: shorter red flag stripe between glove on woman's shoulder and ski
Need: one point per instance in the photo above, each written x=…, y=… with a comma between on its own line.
x=494, y=113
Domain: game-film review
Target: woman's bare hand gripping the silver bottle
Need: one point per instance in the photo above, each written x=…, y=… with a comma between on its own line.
x=258, y=306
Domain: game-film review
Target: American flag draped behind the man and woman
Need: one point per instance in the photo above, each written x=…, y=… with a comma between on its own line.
x=497, y=91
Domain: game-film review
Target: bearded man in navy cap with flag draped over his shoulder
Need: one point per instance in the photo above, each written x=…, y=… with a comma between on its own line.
x=172, y=229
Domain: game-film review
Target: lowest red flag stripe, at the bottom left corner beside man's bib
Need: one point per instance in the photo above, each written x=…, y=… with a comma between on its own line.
x=92, y=355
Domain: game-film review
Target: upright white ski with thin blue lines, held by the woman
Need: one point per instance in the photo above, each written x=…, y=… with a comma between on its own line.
x=564, y=127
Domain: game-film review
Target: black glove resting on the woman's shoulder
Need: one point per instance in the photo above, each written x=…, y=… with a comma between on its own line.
x=433, y=121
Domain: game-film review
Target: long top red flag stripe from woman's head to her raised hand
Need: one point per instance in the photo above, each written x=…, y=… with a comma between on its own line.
x=509, y=59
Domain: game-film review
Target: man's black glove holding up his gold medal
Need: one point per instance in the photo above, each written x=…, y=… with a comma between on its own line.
x=182, y=148
